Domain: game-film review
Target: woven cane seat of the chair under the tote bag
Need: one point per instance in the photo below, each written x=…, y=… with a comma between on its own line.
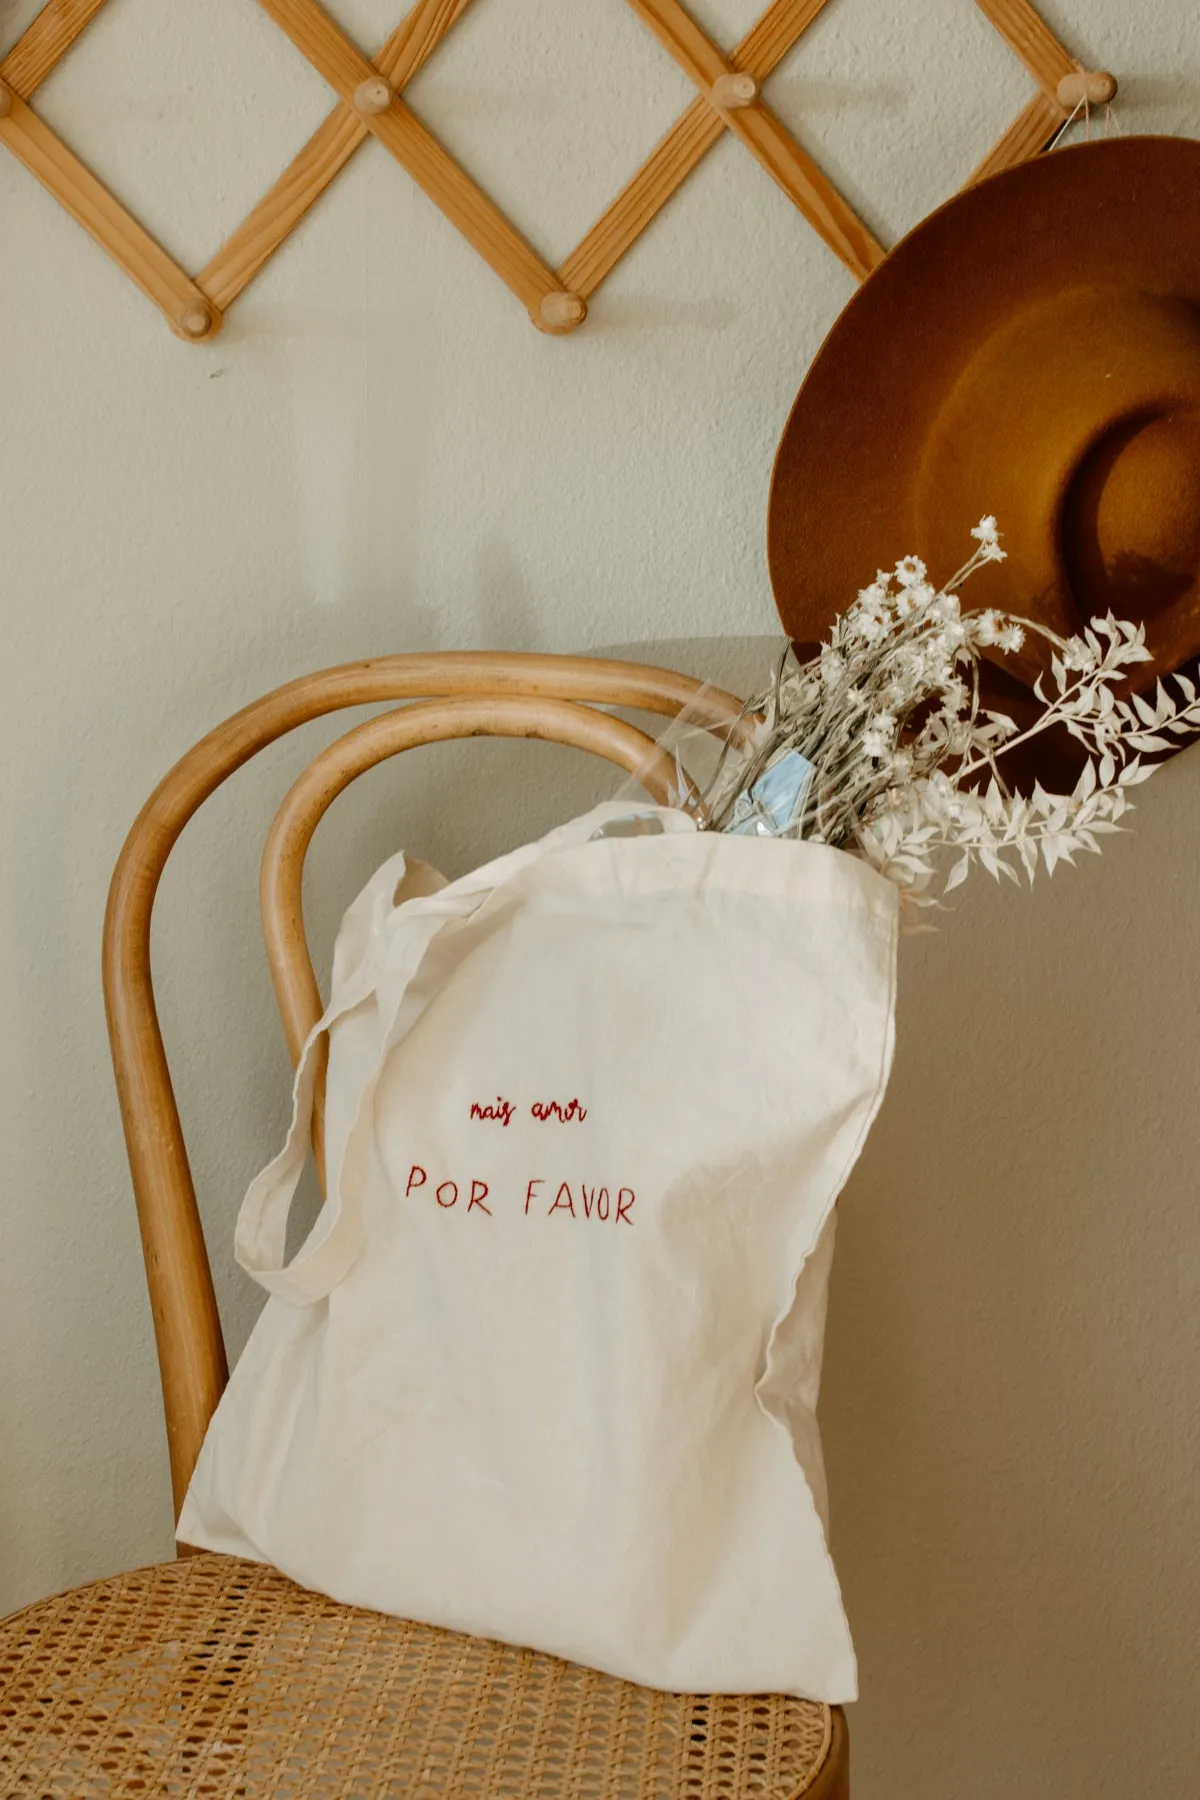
x=220, y=1678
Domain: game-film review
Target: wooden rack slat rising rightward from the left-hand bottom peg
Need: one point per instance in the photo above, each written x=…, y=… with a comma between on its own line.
x=327, y=154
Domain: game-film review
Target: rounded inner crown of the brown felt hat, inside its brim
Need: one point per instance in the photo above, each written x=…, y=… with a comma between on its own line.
x=1079, y=426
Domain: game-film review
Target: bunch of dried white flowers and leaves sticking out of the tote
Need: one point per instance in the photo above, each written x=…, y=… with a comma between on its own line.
x=881, y=744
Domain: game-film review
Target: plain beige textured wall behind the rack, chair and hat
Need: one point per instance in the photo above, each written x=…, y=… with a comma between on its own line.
x=381, y=454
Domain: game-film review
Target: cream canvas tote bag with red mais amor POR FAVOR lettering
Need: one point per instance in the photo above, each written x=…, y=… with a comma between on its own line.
x=546, y=1369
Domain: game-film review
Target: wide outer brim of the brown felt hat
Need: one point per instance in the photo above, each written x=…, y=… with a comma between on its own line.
x=845, y=485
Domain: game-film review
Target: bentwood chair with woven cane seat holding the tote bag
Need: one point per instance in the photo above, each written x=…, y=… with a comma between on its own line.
x=211, y=1677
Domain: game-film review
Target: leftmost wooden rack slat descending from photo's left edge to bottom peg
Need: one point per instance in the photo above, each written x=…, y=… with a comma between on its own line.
x=102, y=215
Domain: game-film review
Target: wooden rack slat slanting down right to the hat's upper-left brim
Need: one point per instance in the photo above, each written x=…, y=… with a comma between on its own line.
x=766, y=138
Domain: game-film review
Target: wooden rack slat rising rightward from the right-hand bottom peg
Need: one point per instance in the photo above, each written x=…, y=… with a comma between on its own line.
x=690, y=139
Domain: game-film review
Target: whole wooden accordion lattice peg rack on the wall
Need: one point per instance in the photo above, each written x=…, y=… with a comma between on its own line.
x=370, y=105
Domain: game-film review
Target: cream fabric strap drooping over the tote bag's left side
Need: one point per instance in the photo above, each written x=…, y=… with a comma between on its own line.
x=400, y=939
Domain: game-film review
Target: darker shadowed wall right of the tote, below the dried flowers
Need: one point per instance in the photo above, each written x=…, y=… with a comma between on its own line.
x=1010, y=1405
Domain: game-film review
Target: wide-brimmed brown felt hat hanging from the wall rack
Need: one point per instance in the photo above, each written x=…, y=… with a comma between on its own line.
x=1032, y=350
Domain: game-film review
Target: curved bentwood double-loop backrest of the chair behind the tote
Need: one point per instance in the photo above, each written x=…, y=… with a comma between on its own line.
x=485, y=694
